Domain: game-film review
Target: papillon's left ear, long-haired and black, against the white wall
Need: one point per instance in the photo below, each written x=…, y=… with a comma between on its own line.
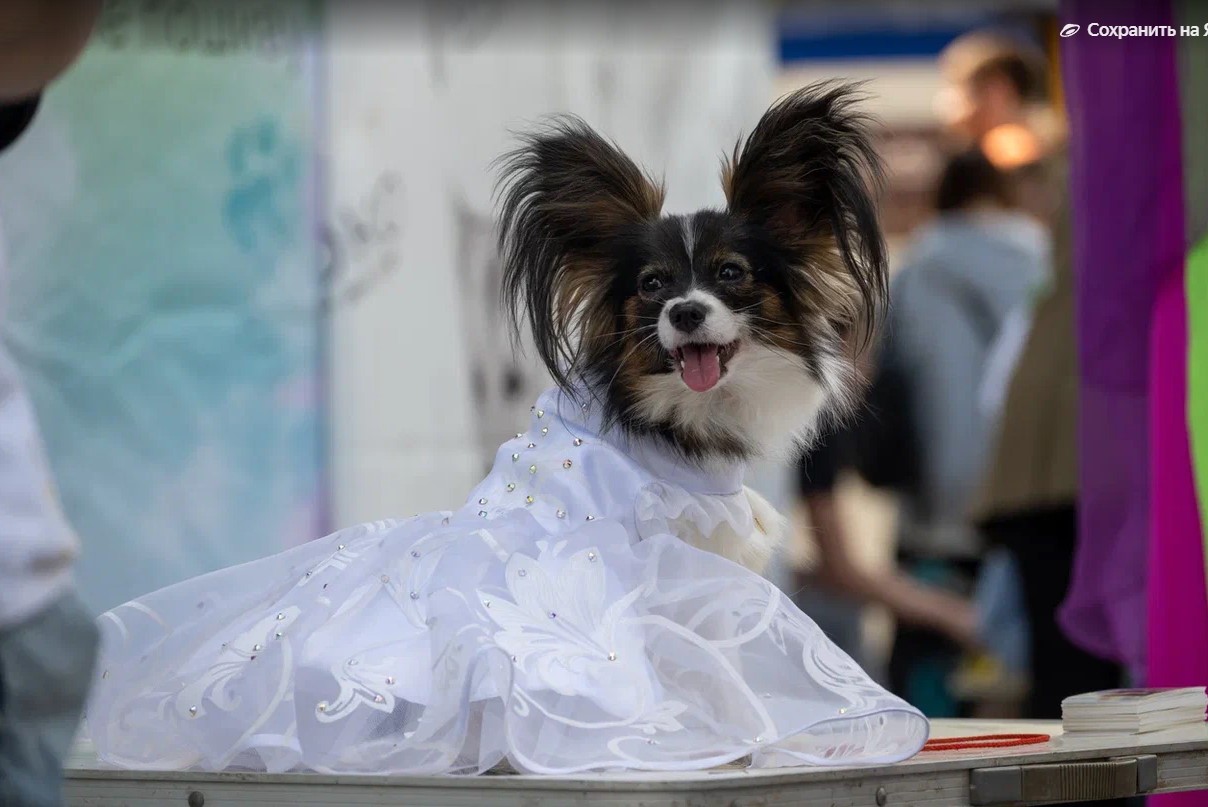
x=564, y=196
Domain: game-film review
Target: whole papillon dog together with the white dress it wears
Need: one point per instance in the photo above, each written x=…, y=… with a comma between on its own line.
x=682, y=349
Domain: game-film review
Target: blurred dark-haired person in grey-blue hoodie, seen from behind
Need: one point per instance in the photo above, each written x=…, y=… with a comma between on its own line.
x=968, y=271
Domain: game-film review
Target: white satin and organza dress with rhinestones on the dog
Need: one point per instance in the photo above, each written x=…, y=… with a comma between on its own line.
x=555, y=623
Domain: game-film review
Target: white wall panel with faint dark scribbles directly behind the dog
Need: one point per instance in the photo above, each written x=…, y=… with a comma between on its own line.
x=425, y=382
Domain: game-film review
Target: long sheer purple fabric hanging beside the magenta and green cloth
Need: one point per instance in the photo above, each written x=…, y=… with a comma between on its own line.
x=1128, y=205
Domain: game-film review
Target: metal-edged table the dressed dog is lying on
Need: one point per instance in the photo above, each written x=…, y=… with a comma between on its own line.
x=1064, y=770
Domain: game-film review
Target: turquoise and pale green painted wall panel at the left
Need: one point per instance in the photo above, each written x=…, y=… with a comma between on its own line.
x=160, y=218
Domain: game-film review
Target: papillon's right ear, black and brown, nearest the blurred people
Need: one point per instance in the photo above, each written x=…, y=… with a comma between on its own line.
x=810, y=177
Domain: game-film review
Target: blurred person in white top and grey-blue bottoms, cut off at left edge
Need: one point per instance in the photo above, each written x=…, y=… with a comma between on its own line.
x=48, y=641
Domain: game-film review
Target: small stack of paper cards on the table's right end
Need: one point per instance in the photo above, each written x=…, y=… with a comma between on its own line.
x=1134, y=712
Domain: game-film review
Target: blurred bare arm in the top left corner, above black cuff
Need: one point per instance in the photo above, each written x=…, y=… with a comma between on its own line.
x=39, y=40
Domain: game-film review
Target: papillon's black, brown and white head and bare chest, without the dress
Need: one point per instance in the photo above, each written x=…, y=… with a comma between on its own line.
x=727, y=335
